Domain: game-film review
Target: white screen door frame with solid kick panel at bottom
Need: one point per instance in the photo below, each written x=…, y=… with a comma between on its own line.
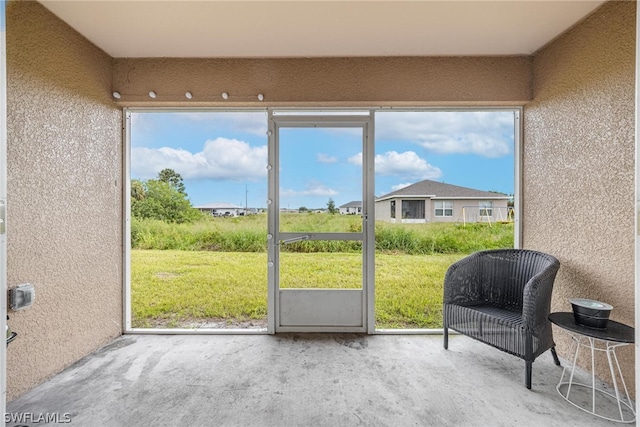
x=354, y=307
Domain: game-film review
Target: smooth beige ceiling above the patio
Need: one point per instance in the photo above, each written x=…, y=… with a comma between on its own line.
x=304, y=28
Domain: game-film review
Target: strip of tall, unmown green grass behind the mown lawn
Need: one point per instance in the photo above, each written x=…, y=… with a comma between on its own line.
x=248, y=234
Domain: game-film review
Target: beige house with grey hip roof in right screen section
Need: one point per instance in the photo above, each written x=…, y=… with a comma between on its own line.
x=431, y=201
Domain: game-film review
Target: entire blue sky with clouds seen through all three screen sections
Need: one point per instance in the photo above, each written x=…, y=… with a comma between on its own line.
x=222, y=156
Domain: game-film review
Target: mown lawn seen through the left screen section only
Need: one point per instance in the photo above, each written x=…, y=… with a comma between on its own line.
x=171, y=288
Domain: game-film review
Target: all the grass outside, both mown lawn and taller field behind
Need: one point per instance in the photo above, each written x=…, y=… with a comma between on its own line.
x=214, y=272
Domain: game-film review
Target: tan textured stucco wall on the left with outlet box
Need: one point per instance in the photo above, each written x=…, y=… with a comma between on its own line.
x=64, y=195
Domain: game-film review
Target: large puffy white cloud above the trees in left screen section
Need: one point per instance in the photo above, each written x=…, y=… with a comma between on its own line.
x=220, y=159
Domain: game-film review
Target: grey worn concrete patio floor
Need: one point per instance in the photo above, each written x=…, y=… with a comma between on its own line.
x=301, y=380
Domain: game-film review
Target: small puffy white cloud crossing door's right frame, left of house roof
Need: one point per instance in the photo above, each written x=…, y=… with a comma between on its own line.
x=407, y=165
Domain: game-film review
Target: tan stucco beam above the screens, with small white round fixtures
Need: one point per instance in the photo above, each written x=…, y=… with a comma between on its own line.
x=326, y=81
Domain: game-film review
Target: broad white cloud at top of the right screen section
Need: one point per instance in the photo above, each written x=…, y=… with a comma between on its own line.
x=484, y=133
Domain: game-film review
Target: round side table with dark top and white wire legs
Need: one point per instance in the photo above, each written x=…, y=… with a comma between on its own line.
x=605, y=340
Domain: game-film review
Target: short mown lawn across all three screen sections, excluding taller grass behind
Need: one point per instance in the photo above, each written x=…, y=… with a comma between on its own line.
x=178, y=288
